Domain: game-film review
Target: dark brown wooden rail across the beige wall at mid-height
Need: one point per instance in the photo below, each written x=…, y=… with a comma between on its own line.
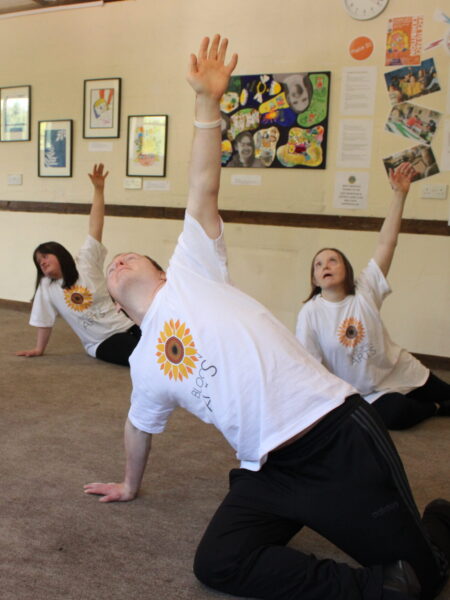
x=316, y=221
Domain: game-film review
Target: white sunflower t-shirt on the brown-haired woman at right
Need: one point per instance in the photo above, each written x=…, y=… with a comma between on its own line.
x=349, y=338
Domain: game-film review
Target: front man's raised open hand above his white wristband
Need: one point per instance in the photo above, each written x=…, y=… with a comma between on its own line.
x=208, y=74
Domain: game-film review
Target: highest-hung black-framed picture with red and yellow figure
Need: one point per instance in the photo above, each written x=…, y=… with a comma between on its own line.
x=101, y=114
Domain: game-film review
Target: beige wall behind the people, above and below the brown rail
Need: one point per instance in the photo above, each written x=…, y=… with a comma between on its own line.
x=148, y=44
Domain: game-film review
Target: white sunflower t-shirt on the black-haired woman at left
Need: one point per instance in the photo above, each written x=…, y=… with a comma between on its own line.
x=86, y=306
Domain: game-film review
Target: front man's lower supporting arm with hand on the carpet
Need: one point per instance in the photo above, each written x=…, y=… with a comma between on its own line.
x=137, y=449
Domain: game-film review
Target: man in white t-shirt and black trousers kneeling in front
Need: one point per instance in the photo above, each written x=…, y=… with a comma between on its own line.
x=311, y=451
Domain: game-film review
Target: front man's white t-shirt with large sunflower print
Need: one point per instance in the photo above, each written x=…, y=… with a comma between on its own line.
x=211, y=349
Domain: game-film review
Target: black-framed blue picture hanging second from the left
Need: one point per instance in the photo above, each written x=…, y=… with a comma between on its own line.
x=55, y=148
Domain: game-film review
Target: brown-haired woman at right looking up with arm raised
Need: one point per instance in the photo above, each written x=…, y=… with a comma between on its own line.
x=340, y=324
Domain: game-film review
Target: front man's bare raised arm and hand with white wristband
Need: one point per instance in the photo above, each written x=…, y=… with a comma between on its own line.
x=208, y=75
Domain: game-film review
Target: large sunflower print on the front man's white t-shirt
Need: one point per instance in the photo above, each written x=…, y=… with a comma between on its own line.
x=176, y=351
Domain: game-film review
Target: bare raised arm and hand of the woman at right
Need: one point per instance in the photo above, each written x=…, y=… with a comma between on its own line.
x=400, y=180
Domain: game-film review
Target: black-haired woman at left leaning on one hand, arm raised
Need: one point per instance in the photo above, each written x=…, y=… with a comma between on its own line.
x=76, y=289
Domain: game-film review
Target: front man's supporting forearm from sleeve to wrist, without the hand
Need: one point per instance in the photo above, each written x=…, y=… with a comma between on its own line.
x=137, y=449
